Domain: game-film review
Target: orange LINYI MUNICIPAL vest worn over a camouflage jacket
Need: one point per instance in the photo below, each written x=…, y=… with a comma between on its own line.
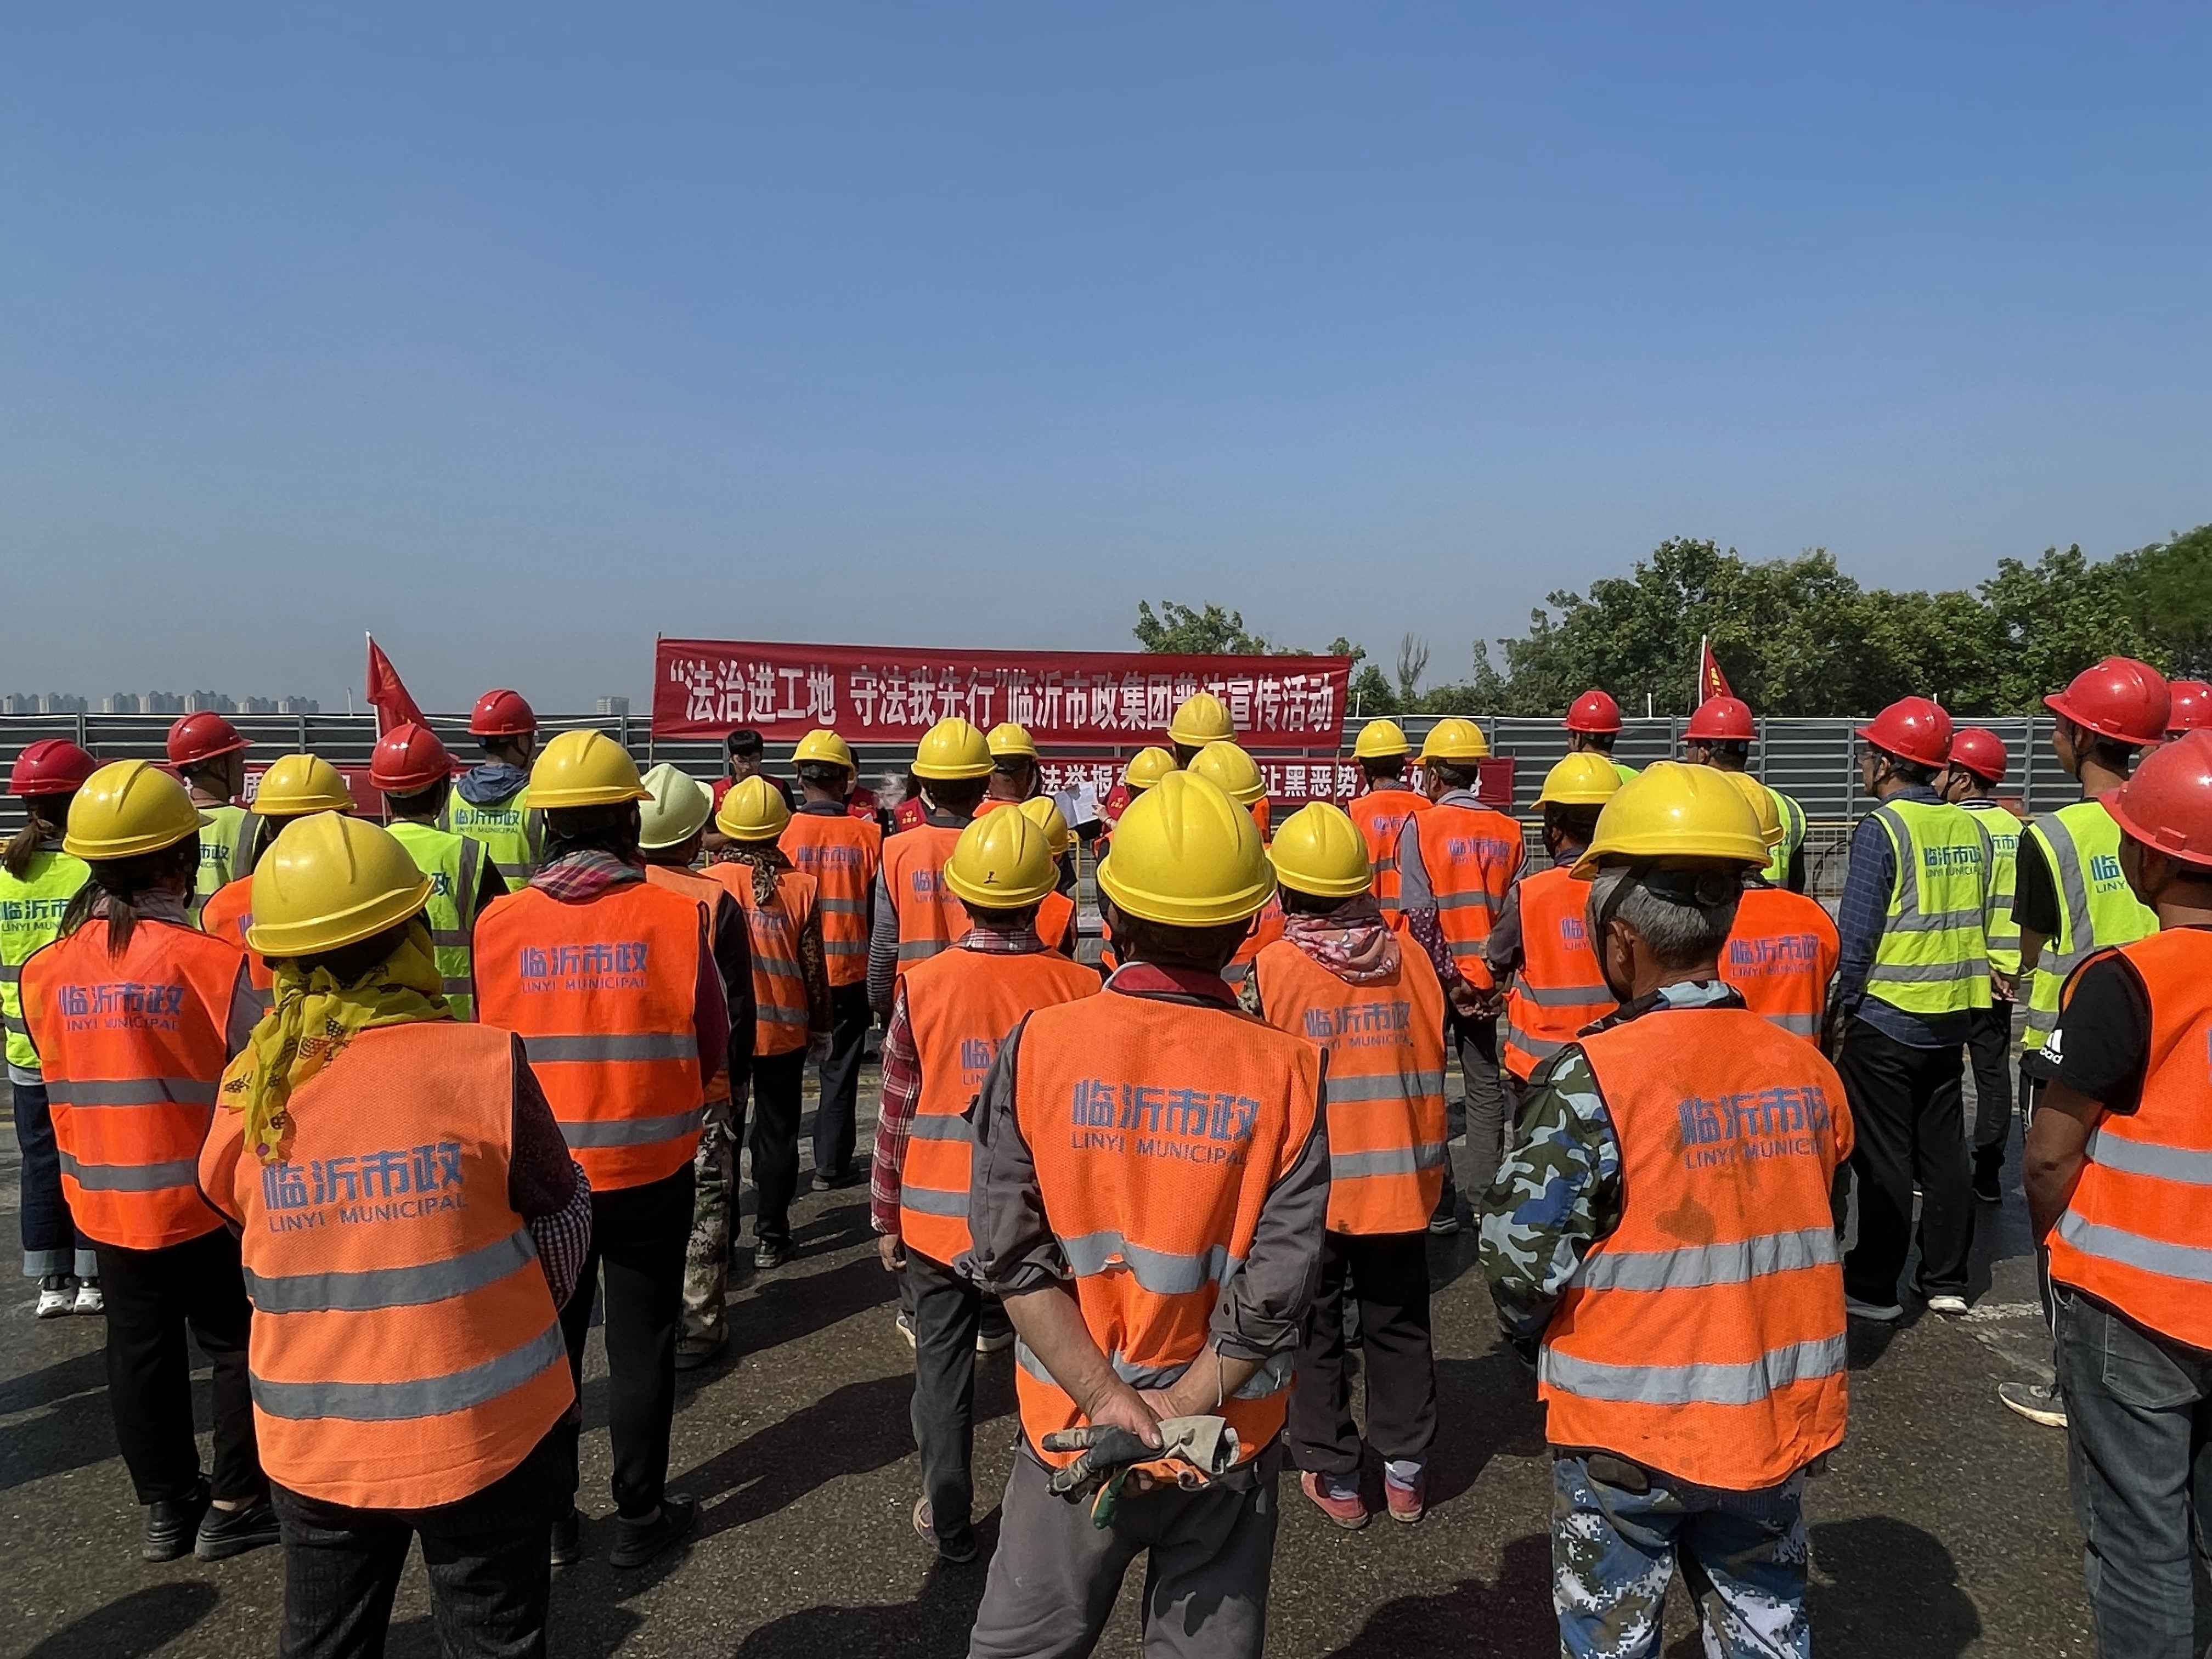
x=1707, y=1337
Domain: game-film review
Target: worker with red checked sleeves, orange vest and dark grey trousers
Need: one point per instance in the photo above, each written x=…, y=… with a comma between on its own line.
x=948, y=1021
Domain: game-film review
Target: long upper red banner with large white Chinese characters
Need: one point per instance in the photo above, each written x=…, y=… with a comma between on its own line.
x=705, y=689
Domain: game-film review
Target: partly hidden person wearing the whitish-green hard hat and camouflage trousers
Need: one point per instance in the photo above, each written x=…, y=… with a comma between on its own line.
x=671, y=833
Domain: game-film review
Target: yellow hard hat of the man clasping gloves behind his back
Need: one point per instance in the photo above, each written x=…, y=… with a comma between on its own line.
x=1189, y=857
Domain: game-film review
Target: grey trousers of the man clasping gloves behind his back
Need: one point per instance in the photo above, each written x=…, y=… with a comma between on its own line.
x=1056, y=1576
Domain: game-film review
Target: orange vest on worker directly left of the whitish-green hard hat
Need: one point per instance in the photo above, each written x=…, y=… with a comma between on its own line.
x=605, y=994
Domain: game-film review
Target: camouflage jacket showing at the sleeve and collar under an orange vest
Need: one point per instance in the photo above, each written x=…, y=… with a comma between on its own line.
x=1558, y=1191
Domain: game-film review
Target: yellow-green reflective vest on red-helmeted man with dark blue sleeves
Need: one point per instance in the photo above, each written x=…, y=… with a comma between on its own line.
x=1932, y=957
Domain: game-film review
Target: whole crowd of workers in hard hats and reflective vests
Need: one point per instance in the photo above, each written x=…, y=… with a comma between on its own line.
x=375, y=1112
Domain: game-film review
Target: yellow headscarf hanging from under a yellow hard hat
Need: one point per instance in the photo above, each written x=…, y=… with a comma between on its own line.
x=311, y=1023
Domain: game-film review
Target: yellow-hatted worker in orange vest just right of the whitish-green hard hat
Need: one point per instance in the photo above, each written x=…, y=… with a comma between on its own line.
x=791, y=997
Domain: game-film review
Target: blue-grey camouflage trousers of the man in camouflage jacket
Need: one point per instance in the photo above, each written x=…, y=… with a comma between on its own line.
x=1614, y=1556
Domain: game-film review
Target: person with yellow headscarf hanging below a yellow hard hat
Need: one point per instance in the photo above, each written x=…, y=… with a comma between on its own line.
x=404, y=1379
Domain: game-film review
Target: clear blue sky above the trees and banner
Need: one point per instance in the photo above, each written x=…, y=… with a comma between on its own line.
x=525, y=337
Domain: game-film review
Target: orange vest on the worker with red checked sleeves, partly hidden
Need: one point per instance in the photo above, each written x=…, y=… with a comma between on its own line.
x=961, y=1005
